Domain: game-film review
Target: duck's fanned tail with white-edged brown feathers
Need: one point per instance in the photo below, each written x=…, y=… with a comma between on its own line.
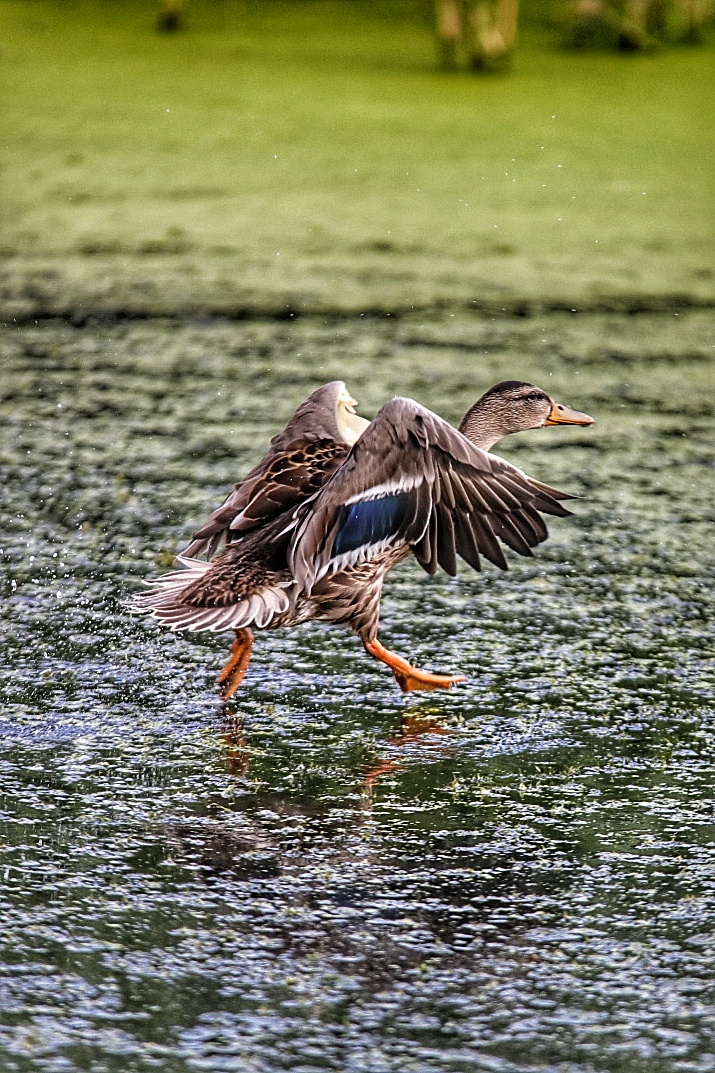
x=195, y=599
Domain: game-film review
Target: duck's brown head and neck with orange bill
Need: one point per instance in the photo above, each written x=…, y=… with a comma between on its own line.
x=515, y=406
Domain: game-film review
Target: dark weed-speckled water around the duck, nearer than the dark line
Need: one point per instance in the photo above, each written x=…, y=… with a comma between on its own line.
x=515, y=876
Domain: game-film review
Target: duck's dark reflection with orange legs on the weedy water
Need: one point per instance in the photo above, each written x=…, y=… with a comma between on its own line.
x=395, y=871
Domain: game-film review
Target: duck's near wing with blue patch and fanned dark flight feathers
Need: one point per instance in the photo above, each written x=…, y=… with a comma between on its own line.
x=413, y=479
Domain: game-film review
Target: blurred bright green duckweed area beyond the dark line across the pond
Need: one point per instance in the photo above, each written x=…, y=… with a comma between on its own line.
x=312, y=156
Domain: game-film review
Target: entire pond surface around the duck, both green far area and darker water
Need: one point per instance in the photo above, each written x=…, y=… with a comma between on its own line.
x=517, y=876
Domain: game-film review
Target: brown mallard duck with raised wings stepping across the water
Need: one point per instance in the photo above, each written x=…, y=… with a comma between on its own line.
x=338, y=502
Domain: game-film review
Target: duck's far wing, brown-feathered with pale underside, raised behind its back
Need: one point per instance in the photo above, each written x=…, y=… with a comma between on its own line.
x=300, y=461
